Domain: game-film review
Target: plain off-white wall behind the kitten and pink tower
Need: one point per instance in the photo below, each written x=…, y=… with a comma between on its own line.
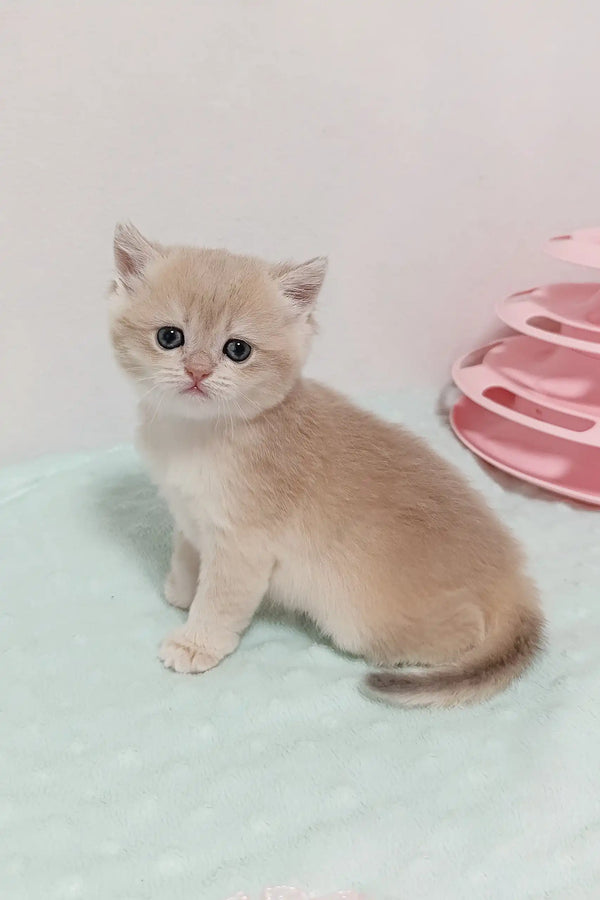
x=428, y=147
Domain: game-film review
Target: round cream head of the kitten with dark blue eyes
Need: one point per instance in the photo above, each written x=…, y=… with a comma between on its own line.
x=205, y=332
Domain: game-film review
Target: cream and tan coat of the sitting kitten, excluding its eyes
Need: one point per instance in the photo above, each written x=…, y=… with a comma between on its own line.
x=278, y=485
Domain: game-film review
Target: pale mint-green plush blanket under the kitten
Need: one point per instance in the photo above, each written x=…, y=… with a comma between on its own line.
x=120, y=779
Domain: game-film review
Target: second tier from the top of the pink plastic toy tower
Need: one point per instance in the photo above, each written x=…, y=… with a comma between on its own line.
x=564, y=314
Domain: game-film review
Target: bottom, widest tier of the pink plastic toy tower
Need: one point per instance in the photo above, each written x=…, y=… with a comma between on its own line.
x=561, y=466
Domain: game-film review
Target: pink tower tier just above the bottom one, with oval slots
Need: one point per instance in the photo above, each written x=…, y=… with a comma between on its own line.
x=549, y=389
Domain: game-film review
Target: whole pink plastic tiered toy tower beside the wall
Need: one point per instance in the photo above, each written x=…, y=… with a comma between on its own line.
x=531, y=403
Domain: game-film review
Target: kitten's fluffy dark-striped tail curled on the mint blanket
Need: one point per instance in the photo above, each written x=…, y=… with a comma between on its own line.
x=481, y=674
